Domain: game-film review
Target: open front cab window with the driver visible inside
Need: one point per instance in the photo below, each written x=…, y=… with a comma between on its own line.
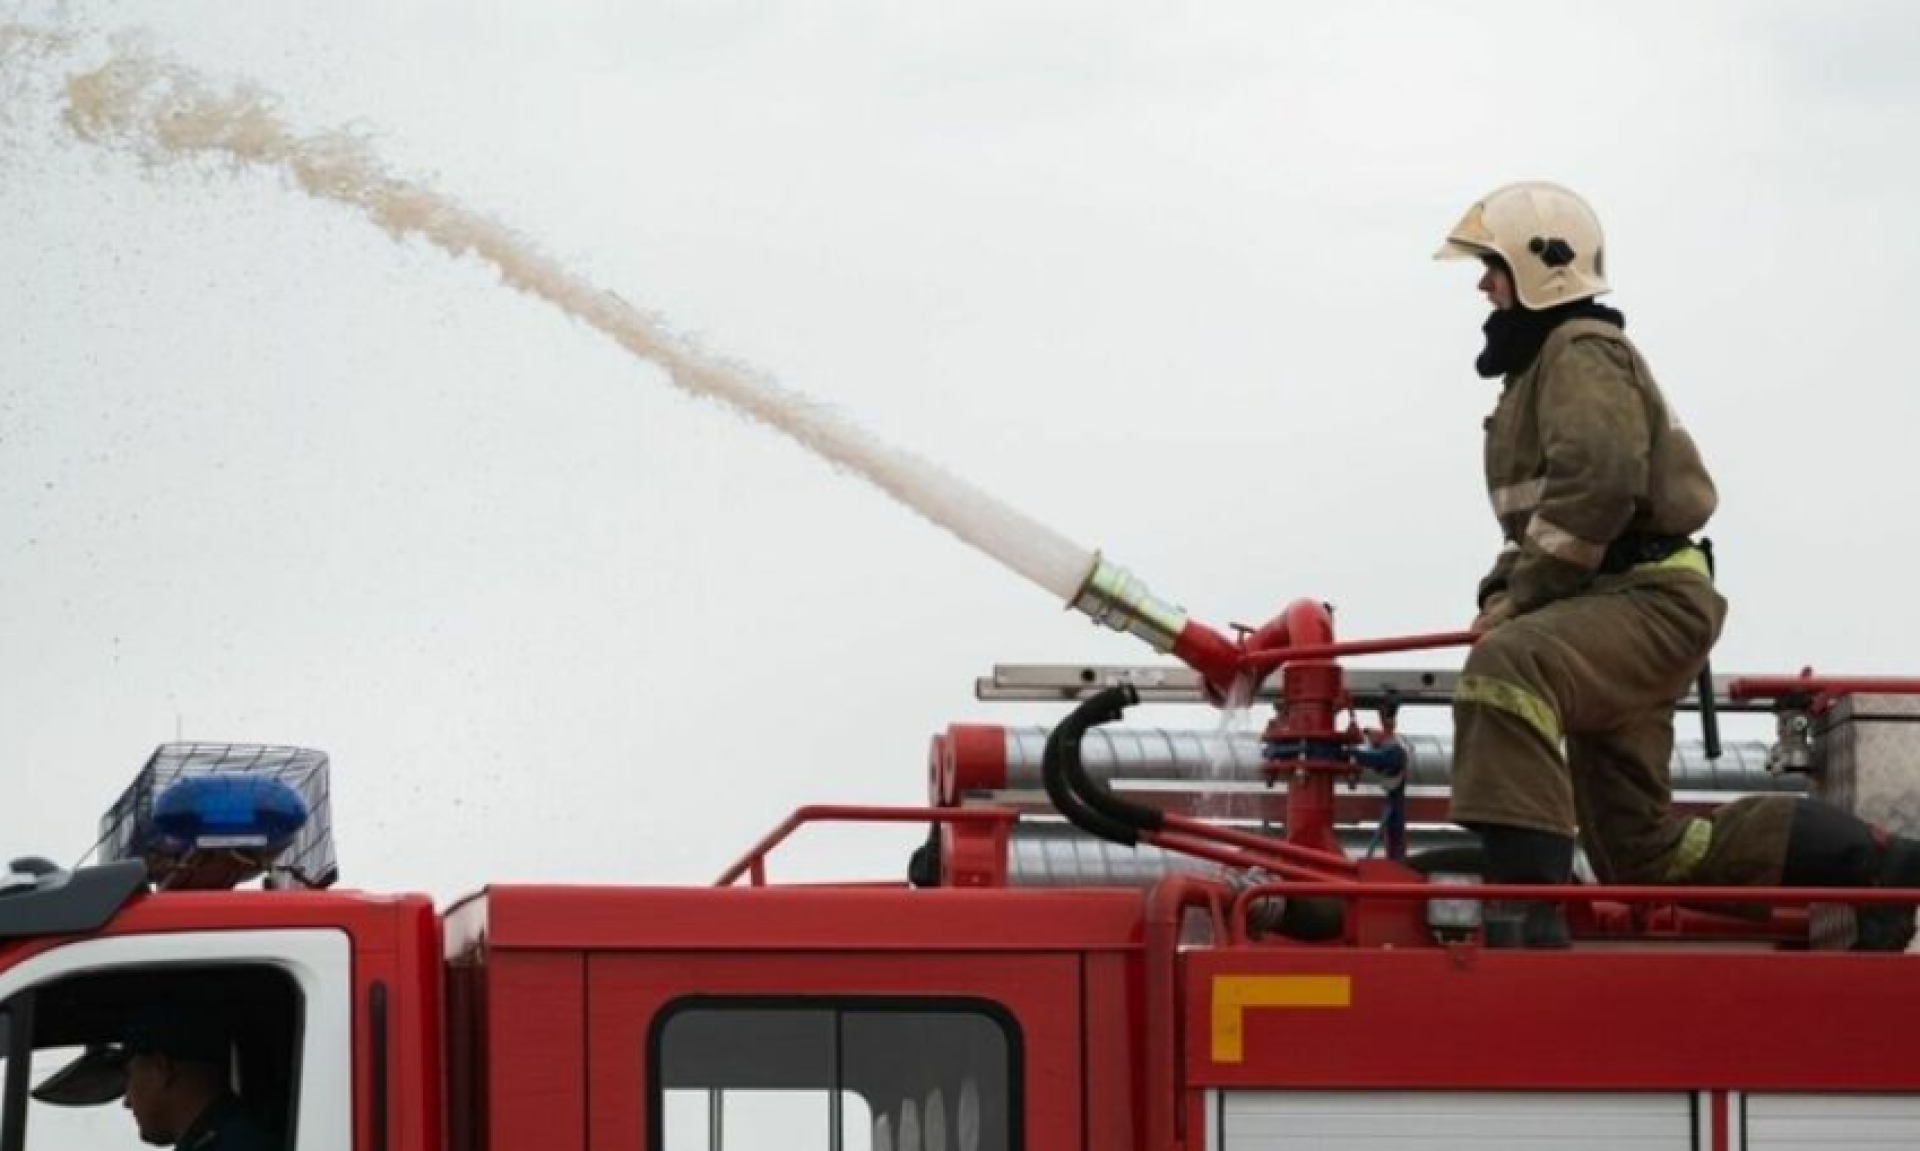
x=229, y=1035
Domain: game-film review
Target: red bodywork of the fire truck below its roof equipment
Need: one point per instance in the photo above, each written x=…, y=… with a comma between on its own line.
x=529, y=1017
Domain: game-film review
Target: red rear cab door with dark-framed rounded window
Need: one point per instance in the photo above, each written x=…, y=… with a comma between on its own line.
x=834, y=1052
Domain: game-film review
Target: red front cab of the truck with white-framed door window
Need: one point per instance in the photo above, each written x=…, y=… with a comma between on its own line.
x=324, y=996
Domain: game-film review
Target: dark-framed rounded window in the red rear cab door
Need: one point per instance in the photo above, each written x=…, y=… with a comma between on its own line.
x=834, y=1077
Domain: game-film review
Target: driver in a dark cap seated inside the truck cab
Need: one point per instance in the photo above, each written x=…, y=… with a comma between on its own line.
x=178, y=1085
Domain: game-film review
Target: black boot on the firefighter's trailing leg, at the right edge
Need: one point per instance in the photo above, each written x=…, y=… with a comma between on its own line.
x=1829, y=848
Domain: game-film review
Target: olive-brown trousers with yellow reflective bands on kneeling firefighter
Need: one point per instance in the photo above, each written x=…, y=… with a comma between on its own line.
x=1598, y=675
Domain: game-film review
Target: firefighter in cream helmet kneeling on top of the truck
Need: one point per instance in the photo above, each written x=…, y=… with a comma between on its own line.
x=1600, y=608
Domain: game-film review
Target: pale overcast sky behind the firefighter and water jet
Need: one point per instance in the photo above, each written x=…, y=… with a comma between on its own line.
x=1155, y=274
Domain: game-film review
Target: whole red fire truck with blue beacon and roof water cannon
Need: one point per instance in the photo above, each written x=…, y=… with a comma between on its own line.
x=1115, y=939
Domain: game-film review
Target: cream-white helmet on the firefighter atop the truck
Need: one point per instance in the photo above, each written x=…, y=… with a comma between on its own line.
x=1547, y=235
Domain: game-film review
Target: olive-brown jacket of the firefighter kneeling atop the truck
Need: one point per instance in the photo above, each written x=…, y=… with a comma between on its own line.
x=1583, y=456
